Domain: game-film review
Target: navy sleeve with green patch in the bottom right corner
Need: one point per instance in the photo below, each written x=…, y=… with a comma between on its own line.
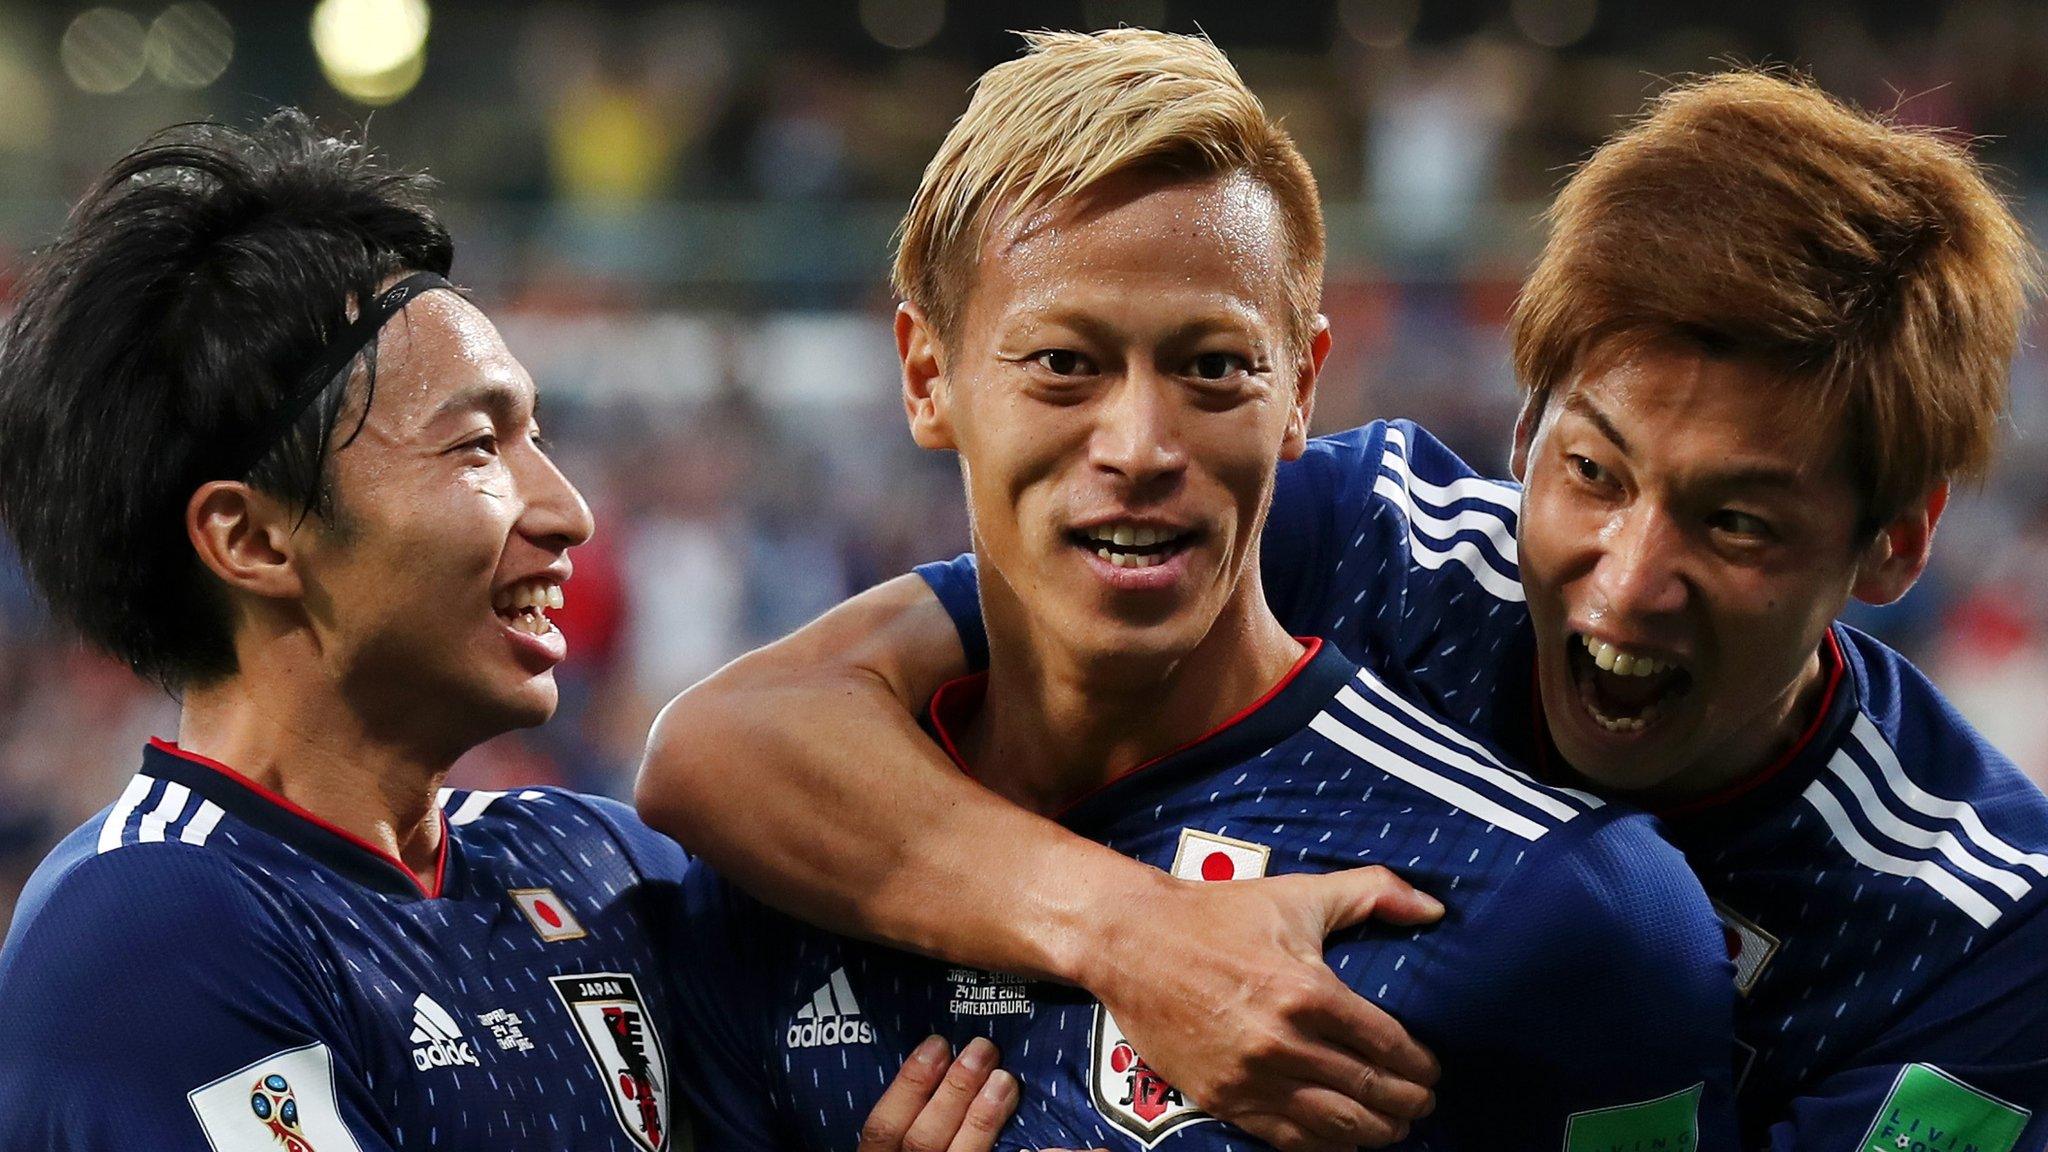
x=1965, y=1069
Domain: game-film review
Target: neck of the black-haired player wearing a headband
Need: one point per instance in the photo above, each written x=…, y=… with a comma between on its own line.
x=282, y=723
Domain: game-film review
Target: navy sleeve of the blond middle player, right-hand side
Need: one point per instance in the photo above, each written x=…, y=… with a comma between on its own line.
x=1601, y=981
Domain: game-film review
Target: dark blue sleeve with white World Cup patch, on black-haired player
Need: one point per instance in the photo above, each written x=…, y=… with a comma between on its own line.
x=151, y=997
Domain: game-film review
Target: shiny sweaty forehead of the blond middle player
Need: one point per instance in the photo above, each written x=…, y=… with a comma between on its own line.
x=1218, y=235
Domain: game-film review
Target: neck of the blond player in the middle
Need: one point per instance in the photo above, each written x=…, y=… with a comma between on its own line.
x=1060, y=725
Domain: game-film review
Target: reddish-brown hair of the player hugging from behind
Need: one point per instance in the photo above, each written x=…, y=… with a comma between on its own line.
x=1754, y=216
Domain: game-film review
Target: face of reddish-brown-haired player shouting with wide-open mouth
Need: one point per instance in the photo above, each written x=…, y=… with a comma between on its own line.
x=1689, y=534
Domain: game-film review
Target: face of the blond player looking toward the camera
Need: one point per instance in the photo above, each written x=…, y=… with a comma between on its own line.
x=1121, y=390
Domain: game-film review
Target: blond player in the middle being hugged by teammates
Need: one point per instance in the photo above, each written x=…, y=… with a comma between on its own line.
x=1132, y=354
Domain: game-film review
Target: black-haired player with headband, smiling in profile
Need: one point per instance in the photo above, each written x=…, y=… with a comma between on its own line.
x=257, y=446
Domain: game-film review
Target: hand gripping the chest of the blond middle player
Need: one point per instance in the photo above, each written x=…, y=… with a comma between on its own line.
x=1226, y=993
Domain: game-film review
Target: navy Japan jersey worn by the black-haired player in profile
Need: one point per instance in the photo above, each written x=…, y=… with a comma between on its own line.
x=210, y=969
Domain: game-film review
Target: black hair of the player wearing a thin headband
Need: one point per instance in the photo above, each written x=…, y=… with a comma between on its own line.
x=191, y=290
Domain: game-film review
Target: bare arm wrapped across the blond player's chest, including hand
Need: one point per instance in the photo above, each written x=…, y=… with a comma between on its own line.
x=802, y=774
